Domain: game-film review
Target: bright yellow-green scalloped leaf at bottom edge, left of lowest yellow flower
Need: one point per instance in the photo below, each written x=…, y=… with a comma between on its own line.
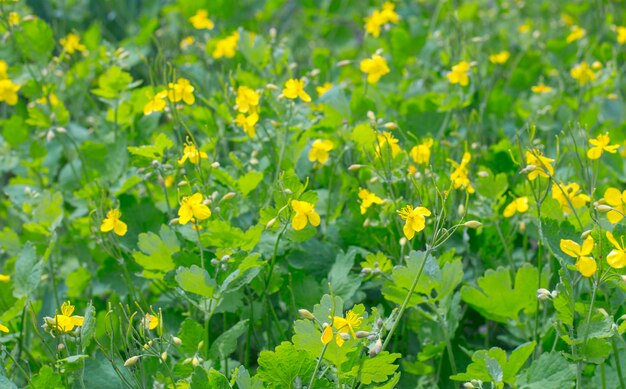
x=281, y=367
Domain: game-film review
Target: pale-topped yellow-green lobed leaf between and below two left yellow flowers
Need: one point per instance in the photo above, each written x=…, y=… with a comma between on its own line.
x=157, y=250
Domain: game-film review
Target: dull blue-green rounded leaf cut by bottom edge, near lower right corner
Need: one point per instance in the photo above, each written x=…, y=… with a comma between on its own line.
x=549, y=371
